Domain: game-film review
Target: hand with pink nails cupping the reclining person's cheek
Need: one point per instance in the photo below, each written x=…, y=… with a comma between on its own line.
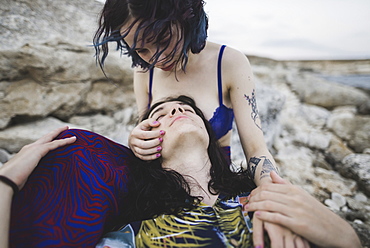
x=144, y=143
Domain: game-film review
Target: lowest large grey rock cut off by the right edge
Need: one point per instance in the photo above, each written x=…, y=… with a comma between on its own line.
x=356, y=166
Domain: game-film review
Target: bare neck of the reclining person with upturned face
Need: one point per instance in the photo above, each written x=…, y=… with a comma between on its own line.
x=194, y=165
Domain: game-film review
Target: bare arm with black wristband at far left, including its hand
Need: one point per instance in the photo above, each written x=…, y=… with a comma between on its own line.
x=19, y=168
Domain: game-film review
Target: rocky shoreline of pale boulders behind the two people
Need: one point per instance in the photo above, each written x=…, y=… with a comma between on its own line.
x=318, y=130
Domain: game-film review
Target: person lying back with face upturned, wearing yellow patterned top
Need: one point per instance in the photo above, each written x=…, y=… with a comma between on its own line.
x=187, y=198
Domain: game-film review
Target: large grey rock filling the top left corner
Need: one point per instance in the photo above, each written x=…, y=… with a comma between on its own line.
x=34, y=21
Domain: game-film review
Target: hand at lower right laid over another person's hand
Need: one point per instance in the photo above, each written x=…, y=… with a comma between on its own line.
x=290, y=206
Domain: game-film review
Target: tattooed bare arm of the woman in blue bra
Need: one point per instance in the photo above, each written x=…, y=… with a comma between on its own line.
x=238, y=77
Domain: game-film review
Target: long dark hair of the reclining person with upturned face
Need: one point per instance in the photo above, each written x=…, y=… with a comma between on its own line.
x=153, y=190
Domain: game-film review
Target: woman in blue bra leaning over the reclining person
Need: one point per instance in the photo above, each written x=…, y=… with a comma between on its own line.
x=166, y=40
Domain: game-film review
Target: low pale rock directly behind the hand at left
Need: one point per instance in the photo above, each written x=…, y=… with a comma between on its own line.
x=14, y=138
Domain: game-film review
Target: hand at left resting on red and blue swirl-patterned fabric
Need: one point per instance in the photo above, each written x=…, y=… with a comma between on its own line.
x=19, y=167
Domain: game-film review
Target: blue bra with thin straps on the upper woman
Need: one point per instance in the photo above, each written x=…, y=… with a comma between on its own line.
x=222, y=119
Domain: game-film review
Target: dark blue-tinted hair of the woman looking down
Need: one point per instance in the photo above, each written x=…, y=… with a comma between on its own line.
x=156, y=20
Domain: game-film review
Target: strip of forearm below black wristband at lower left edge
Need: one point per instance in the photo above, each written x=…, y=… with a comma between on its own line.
x=5, y=204
